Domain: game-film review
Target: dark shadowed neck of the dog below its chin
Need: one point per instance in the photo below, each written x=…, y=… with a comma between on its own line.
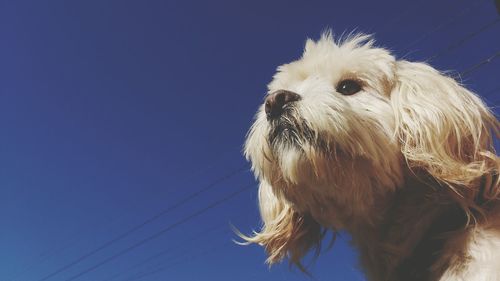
x=403, y=240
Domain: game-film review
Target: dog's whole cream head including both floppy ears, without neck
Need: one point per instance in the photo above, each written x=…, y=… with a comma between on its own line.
x=342, y=126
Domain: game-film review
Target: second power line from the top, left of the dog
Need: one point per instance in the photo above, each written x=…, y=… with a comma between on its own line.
x=161, y=232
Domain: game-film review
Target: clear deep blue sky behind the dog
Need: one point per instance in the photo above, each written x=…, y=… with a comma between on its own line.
x=113, y=112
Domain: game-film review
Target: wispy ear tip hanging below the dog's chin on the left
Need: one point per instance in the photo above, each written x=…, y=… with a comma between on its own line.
x=285, y=232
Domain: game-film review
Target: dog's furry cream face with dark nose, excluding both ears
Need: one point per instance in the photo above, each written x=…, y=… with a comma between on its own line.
x=326, y=129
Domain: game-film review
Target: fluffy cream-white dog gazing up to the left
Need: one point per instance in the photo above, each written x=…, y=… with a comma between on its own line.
x=396, y=153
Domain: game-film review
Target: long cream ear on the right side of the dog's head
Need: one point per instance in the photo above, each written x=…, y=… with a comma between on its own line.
x=446, y=131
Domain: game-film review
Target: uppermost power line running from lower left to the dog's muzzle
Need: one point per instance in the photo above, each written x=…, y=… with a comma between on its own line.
x=146, y=222
